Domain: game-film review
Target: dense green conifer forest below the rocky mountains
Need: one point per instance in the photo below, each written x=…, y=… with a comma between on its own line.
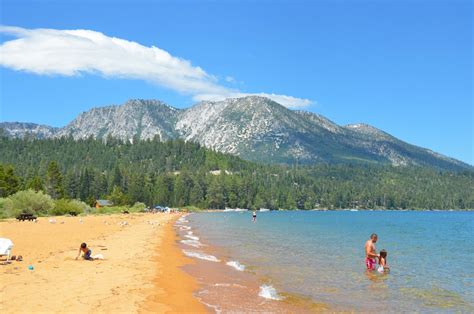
x=178, y=174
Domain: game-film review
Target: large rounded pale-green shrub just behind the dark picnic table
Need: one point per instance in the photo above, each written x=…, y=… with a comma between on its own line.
x=32, y=202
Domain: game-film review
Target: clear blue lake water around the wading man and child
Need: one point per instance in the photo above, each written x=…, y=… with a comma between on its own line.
x=321, y=255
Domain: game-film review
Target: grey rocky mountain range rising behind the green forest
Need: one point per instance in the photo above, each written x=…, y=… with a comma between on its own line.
x=254, y=128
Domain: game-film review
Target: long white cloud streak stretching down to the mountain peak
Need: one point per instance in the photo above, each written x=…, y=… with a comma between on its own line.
x=73, y=52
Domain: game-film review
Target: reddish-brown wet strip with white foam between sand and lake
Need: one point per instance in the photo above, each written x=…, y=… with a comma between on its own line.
x=226, y=288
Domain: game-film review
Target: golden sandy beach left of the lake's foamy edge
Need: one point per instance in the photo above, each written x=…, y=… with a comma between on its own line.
x=141, y=271
